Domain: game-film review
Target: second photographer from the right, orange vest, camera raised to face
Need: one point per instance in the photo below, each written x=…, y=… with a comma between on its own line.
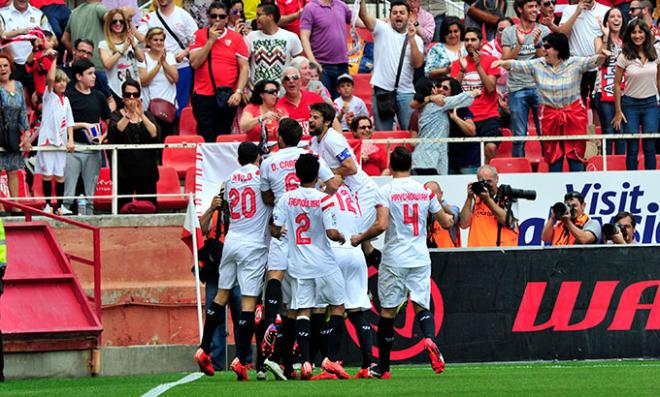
x=569, y=225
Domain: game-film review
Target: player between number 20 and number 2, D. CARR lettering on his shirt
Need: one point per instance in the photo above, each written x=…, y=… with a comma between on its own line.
x=278, y=175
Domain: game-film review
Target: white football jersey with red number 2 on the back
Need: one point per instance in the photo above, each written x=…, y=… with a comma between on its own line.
x=306, y=214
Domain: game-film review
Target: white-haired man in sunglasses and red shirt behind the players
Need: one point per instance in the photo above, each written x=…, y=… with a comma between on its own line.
x=296, y=101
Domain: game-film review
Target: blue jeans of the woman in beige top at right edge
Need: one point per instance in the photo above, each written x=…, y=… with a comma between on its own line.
x=640, y=113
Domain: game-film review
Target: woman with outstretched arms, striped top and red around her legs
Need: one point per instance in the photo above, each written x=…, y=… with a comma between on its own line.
x=558, y=76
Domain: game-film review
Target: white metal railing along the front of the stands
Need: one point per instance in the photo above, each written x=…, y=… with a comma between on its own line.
x=389, y=142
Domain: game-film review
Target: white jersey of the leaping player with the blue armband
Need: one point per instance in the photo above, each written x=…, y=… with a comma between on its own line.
x=334, y=149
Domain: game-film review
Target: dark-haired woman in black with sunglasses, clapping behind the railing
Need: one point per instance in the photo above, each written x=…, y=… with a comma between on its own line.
x=138, y=169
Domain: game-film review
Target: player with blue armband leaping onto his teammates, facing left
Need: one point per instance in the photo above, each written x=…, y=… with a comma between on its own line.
x=334, y=149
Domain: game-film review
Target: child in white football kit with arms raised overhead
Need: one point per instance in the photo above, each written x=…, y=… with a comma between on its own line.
x=56, y=130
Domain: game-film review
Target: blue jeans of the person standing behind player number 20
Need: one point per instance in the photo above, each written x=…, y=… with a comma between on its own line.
x=219, y=343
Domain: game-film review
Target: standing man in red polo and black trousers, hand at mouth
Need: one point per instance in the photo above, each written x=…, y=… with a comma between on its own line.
x=229, y=63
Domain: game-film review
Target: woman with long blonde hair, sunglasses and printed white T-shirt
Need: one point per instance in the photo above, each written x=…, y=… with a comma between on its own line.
x=119, y=52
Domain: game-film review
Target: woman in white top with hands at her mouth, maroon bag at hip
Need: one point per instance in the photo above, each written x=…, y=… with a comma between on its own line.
x=158, y=76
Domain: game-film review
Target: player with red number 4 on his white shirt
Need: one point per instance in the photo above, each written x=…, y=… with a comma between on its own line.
x=406, y=262
